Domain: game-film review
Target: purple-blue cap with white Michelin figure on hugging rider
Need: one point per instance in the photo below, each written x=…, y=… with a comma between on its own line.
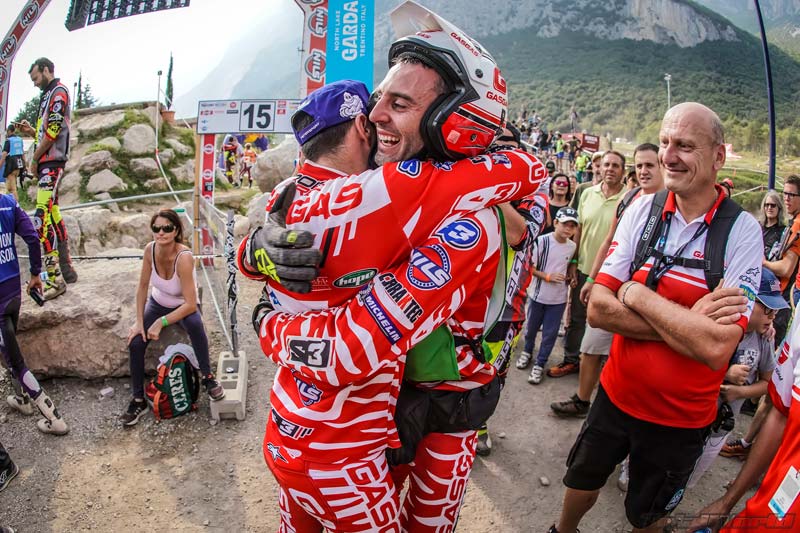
x=329, y=106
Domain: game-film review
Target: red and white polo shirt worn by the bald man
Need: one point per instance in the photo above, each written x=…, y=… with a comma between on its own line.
x=648, y=379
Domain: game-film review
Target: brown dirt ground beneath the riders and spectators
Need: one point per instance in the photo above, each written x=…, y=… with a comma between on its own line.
x=191, y=475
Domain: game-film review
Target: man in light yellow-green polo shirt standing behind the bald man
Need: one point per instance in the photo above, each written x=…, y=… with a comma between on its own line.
x=596, y=212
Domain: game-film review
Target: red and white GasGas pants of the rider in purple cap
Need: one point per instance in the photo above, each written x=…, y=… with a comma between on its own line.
x=358, y=496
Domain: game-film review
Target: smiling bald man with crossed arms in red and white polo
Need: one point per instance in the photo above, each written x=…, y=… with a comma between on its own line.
x=658, y=391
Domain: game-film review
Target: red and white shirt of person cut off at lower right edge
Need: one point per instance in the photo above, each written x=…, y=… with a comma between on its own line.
x=776, y=504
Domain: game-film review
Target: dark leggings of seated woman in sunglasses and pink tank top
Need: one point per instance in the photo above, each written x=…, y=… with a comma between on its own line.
x=193, y=324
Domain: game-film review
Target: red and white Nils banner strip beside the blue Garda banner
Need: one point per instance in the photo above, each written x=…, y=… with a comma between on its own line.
x=315, y=31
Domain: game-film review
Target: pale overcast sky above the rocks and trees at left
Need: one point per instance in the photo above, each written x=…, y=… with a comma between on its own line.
x=121, y=58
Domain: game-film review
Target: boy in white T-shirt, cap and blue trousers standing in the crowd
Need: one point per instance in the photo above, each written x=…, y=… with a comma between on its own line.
x=548, y=291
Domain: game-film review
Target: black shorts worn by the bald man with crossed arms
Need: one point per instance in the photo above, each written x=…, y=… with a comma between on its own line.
x=662, y=459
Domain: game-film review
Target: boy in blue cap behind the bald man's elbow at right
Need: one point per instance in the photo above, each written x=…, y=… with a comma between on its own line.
x=750, y=370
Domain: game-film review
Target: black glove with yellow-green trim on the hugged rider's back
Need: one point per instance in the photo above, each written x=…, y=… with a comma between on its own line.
x=282, y=254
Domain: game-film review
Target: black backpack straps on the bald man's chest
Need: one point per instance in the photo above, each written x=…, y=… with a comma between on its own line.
x=713, y=263
